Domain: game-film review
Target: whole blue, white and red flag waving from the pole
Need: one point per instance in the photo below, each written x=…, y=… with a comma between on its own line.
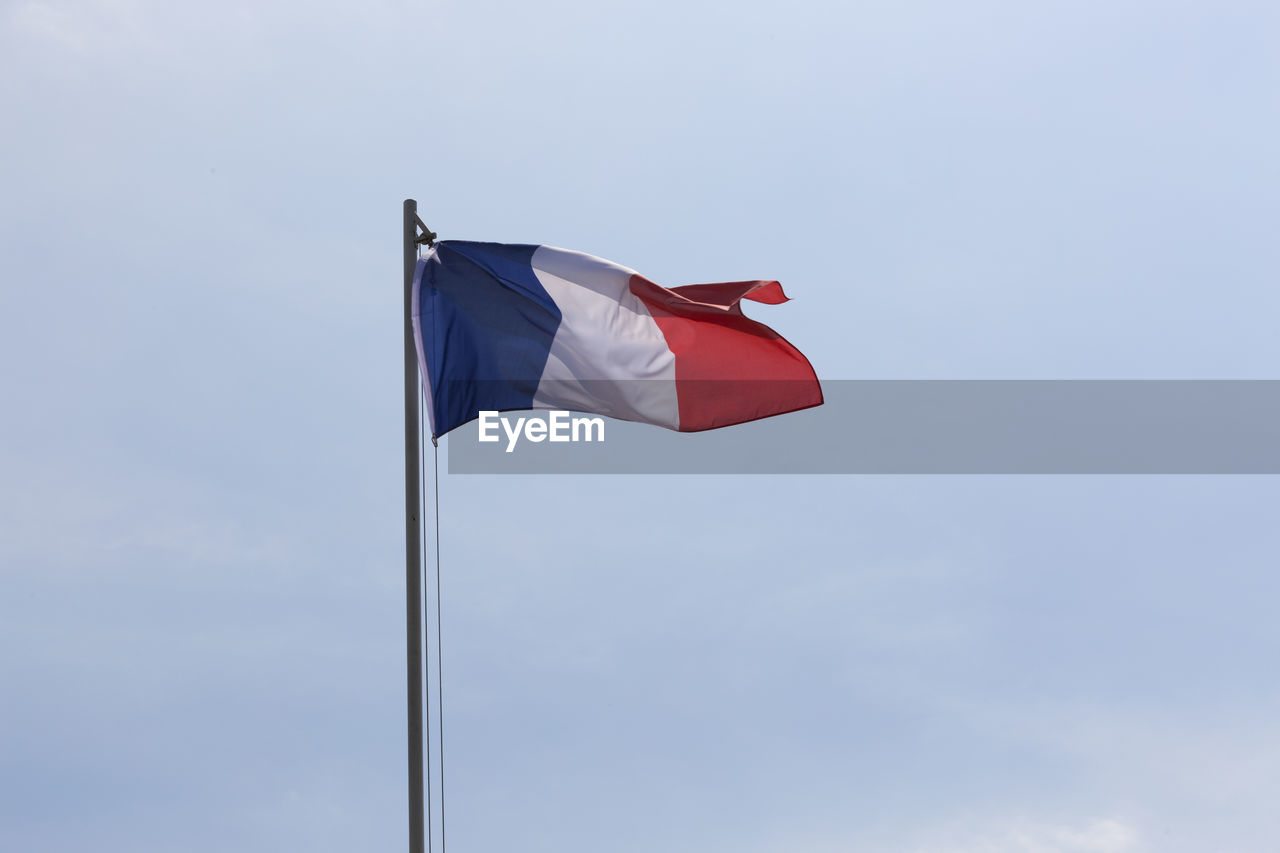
x=509, y=327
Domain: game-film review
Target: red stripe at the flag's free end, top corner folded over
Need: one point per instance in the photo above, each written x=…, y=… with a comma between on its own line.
x=730, y=370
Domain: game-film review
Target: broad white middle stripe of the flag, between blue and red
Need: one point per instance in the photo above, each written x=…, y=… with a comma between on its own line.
x=606, y=334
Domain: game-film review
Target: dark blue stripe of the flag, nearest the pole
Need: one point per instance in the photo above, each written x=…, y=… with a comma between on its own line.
x=488, y=326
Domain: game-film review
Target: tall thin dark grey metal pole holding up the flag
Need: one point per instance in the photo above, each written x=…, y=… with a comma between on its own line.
x=413, y=545
